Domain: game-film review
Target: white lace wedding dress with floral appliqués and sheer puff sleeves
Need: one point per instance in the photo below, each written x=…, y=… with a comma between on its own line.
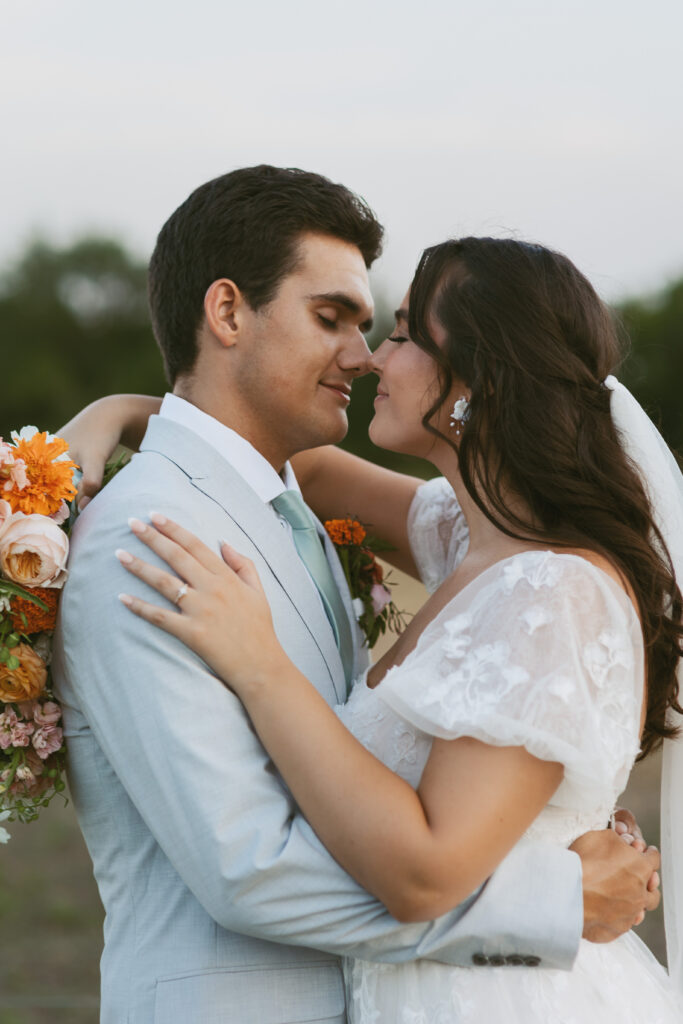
x=542, y=651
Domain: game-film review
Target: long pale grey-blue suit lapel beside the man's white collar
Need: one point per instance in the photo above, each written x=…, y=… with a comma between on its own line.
x=211, y=475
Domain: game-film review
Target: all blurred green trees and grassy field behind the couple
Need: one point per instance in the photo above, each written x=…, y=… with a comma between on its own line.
x=74, y=327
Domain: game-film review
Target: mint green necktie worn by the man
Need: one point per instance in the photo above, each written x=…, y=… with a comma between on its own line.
x=290, y=506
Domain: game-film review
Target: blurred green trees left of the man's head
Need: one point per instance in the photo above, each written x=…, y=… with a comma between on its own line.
x=74, y=326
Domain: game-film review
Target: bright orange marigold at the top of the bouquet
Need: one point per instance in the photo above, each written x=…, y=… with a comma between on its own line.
x=50, y=482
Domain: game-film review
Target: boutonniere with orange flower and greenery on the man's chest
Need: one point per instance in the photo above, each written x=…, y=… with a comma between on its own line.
x=369, y=586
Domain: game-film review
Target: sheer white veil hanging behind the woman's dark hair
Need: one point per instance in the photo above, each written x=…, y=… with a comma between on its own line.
x=664, y=481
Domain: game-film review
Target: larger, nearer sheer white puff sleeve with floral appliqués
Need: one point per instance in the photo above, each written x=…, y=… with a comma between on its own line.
x=543, y=652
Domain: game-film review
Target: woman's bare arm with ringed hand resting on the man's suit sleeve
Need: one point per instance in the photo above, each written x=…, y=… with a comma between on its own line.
x=420, y=854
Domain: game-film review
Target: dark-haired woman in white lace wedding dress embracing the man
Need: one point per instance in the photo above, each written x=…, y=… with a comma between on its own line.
x=518, y=700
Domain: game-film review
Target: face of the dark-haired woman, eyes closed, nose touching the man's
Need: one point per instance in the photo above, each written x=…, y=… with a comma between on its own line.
x=408, y=388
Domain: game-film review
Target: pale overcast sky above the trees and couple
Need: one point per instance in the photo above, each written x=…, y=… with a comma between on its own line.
x=558, y=121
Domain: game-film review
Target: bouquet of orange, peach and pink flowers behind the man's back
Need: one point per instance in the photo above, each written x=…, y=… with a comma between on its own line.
x=36, y=487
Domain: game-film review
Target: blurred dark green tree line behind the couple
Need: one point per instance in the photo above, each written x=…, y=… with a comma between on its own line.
x=74, y=326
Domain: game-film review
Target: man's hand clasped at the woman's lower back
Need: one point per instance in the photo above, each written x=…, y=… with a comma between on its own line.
x=617, y=878
